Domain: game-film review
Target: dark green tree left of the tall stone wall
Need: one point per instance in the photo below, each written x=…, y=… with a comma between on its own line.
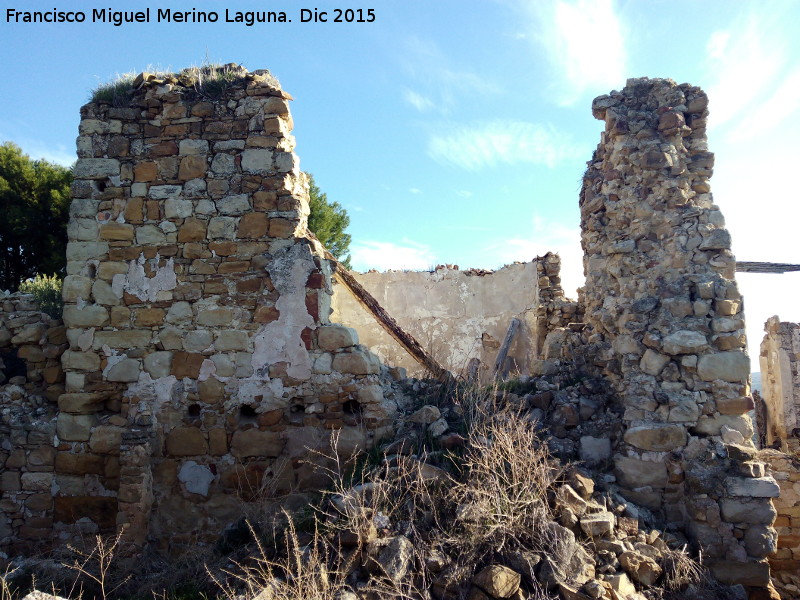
x=34, y=202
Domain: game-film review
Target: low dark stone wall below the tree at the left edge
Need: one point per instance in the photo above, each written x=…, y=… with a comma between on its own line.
x=31, y=380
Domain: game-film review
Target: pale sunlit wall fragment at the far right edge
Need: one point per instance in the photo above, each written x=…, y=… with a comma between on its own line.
x=780, y=383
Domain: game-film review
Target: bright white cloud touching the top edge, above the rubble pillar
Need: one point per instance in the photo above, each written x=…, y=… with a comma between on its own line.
x=570, y=33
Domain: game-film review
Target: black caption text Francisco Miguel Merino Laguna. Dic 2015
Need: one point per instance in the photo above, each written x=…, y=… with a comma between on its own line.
x=168, y=15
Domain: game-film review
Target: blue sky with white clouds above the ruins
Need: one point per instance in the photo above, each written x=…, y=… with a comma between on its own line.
x=457, y=131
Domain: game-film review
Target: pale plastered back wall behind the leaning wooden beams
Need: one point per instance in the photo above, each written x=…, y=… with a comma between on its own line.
x=457, y=316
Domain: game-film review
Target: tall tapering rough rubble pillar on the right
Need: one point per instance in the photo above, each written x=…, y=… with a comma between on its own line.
x=666, y=325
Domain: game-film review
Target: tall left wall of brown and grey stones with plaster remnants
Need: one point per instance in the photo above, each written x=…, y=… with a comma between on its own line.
x=202, y=364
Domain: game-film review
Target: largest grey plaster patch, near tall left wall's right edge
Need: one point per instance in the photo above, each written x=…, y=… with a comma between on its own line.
x=280, y=341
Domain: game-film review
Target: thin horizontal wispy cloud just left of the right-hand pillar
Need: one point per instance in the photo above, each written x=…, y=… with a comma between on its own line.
x=496, y=142
